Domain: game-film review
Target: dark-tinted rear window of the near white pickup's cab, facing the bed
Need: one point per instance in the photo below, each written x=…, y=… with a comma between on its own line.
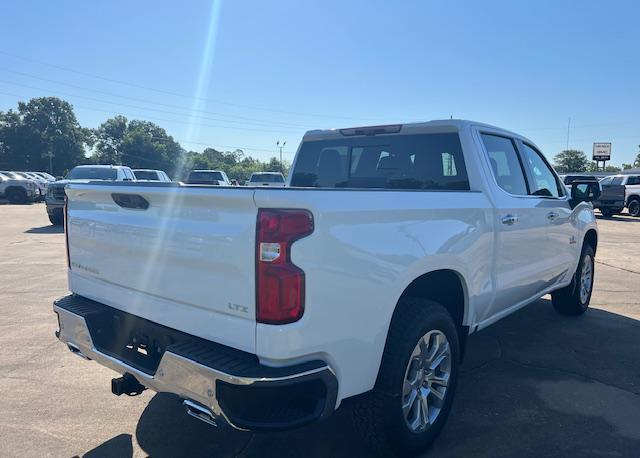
x=420, y=161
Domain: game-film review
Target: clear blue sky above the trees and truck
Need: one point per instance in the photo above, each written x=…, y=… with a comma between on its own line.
x=246, y=73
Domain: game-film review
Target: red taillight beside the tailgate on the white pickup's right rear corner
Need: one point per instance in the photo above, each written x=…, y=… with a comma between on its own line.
x=279, y=283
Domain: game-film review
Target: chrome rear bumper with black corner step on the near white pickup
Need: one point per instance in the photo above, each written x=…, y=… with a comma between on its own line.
x=200, y=382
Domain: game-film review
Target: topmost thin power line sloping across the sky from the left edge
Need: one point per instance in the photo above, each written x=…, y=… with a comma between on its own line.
x=177, y=94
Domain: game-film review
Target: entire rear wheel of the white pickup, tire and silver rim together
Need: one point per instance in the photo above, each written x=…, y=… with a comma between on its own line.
x=413, y=394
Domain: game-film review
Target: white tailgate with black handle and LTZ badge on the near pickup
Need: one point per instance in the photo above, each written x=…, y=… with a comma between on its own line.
x=186, y=261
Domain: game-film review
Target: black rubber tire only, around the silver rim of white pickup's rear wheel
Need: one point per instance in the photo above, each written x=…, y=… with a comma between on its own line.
x=379, y=414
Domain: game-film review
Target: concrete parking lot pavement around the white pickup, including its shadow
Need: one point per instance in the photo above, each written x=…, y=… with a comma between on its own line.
x=534, y=384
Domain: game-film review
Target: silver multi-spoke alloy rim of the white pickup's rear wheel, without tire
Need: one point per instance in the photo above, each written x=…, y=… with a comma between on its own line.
x=426, y=380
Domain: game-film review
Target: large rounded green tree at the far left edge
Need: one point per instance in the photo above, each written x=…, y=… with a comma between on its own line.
x=42, y=131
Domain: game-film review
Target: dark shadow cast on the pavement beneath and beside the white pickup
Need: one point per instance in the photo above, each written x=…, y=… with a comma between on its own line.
x=534, y=384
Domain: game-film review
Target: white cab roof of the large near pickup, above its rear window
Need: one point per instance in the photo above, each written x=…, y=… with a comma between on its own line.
x=454, y=125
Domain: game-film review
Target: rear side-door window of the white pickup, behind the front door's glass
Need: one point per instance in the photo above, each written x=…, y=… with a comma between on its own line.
x=505, y=164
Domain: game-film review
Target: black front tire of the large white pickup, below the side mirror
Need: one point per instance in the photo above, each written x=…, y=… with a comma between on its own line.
x=569, y=300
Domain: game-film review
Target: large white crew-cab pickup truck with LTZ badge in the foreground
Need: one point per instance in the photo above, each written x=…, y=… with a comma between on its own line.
x=268, y=308
